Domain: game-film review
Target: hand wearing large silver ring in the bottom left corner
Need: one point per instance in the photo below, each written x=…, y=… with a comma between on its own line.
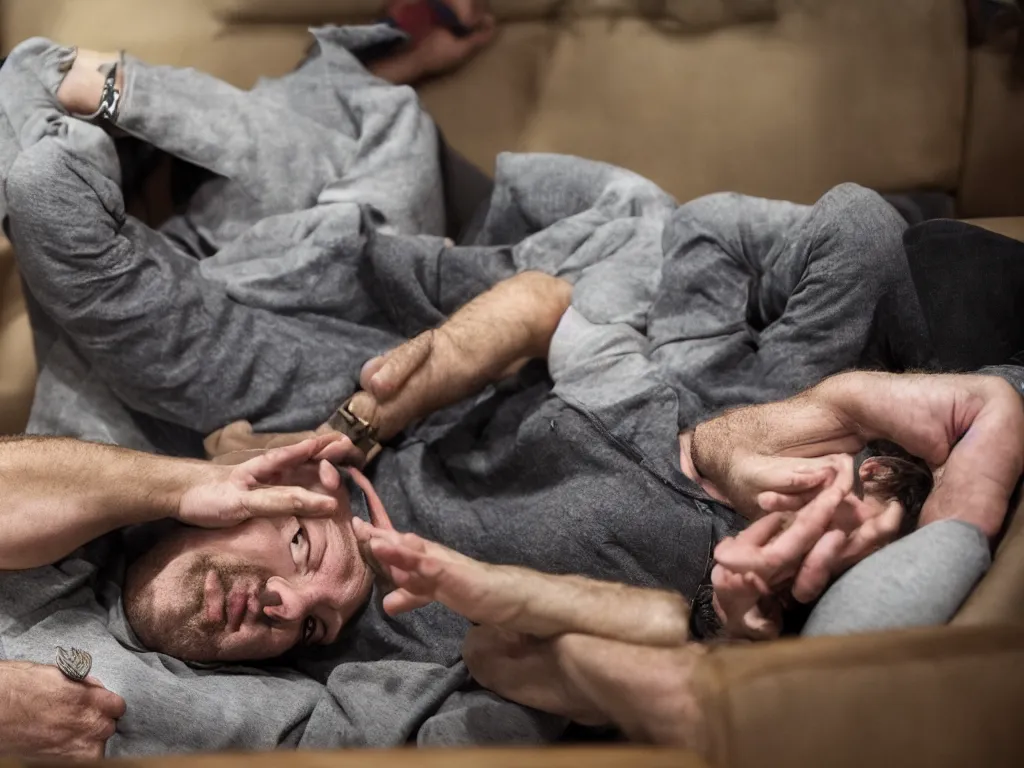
x=50, y=716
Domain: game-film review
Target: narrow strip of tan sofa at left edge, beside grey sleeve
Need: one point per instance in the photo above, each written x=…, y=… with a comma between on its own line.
x=18, y=364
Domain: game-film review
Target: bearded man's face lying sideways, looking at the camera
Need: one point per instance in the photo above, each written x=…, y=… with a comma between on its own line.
x=248, y=593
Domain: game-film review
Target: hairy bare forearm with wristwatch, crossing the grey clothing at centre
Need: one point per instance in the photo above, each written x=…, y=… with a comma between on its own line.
x=514, y=321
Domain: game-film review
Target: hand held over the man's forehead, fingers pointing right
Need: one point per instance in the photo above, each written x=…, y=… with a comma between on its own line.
x=284, y=482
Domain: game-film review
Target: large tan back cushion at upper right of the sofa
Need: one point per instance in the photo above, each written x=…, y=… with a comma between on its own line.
x=872, y=92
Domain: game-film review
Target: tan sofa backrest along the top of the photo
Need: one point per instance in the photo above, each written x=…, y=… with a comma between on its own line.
x=775, y=98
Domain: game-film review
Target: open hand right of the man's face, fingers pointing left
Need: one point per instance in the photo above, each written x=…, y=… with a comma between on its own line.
x=425, y=572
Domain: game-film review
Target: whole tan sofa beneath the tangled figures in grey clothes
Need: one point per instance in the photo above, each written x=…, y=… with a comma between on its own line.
x=781, y=99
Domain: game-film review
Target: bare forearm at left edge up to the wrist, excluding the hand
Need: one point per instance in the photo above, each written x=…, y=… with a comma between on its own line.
x=61, y=494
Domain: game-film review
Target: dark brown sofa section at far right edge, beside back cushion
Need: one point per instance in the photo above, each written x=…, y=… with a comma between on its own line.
x=993, y=184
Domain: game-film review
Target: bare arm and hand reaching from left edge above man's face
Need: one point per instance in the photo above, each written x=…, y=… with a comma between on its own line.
x=60, y=494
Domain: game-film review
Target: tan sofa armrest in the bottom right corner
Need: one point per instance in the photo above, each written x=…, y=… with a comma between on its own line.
x=945, y=697
